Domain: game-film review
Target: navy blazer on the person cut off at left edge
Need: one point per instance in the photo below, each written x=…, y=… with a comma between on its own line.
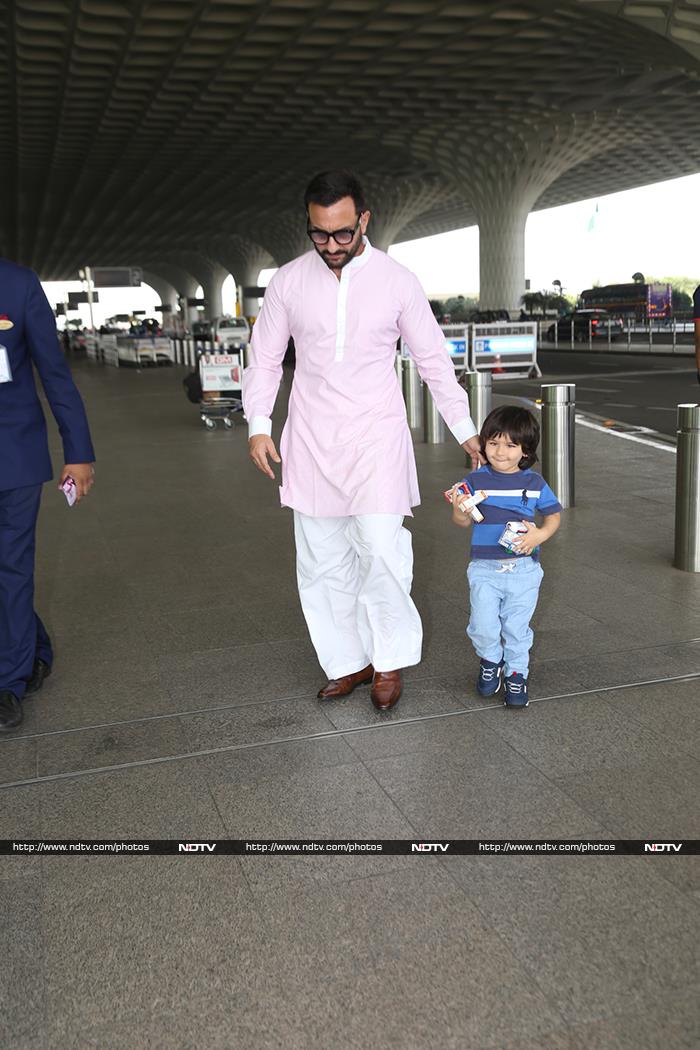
x=32, y=340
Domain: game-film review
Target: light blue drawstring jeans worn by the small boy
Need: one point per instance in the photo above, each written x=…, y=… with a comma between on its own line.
x=503, y=597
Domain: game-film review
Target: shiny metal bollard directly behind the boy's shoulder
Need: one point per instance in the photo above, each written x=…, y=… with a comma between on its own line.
x=559, y=412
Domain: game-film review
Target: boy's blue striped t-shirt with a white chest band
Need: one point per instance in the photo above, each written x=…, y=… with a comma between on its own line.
x=511, y=497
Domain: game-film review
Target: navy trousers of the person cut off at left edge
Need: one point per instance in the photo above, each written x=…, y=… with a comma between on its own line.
x=23, y=635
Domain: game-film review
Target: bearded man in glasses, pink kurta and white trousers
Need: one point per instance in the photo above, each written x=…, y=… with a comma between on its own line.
x=349, y=470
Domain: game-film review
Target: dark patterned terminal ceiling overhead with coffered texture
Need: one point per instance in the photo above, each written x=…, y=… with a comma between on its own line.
x=144, y=131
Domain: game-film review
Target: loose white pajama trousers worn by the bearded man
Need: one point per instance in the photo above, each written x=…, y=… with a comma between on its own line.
x=355, y=576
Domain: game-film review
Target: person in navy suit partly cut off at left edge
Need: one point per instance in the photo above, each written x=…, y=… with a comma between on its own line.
x=28, y=337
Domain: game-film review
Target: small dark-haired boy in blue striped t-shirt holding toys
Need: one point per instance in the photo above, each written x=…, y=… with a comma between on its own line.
x=504, y=584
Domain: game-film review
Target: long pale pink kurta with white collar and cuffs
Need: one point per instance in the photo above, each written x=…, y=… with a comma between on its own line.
x=347, y=448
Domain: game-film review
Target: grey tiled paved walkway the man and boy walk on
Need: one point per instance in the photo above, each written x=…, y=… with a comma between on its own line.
x=183, y=705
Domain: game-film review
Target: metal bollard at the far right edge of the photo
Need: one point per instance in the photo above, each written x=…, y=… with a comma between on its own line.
x=687, y=553
